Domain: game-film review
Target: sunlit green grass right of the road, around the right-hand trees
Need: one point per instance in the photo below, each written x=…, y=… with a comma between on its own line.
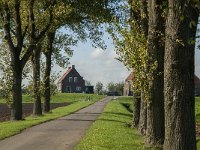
x=111, y=130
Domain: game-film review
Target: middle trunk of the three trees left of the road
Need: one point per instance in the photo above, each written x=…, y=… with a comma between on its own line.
x=37, y=108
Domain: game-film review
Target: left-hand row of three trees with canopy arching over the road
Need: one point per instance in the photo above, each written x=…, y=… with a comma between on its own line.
x=29, y=30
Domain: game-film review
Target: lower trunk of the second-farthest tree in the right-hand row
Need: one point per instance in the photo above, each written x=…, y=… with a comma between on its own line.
x=143, y=115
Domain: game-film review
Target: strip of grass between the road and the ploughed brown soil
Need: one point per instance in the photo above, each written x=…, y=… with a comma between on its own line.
x=11, y=128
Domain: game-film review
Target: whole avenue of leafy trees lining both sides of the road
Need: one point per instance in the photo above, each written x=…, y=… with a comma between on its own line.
x=155, y=38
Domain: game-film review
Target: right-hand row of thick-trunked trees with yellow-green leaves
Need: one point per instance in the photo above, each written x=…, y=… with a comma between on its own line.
x=157, y=40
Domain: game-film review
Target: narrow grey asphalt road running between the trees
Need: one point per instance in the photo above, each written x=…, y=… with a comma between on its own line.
x=59, y=134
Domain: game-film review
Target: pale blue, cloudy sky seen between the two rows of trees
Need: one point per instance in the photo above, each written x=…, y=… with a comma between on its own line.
x=95, y=64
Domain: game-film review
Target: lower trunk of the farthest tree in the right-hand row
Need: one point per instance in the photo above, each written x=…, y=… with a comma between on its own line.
x=136, y=110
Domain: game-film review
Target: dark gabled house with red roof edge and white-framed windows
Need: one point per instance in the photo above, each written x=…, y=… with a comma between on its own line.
x=73, y=82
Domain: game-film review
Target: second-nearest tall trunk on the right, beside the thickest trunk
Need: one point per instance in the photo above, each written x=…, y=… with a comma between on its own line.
x=155, y=109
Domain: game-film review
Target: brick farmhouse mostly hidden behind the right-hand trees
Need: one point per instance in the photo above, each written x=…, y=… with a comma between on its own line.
x=128, y=89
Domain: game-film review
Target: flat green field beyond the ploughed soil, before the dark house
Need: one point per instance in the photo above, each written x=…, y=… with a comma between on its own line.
x=63, y=97
